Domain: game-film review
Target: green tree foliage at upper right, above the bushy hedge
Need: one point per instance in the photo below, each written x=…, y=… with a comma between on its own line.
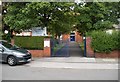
x=92, y=14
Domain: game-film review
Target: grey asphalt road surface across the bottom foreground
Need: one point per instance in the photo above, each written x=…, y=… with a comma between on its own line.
x=23, y=72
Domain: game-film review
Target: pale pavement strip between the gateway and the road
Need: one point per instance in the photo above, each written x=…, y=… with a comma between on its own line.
x=74, y=63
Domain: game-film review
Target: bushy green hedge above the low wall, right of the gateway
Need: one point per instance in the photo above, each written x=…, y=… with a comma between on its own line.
x=105, y=42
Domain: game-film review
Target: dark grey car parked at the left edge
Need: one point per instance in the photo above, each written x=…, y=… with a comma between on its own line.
x=13, y=54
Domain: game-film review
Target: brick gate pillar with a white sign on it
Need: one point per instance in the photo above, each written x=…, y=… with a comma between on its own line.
x=47, y=47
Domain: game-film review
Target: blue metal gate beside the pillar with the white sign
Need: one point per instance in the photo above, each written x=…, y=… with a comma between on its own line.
x=59, y=49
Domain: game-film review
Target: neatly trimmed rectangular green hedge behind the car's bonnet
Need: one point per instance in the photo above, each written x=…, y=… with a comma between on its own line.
x=30, y=42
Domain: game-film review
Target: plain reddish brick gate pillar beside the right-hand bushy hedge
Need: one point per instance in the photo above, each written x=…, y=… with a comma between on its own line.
x=90, y=52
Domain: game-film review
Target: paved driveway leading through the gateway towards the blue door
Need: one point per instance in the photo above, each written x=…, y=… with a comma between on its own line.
x=70, y=49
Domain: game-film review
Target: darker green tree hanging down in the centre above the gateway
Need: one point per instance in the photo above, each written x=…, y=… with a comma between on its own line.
x=62, y=18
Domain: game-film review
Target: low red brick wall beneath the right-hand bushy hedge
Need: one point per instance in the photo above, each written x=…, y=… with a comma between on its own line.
x=113, y=54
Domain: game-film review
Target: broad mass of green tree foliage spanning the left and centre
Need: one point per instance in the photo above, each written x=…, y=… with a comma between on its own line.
x=57, y=17
